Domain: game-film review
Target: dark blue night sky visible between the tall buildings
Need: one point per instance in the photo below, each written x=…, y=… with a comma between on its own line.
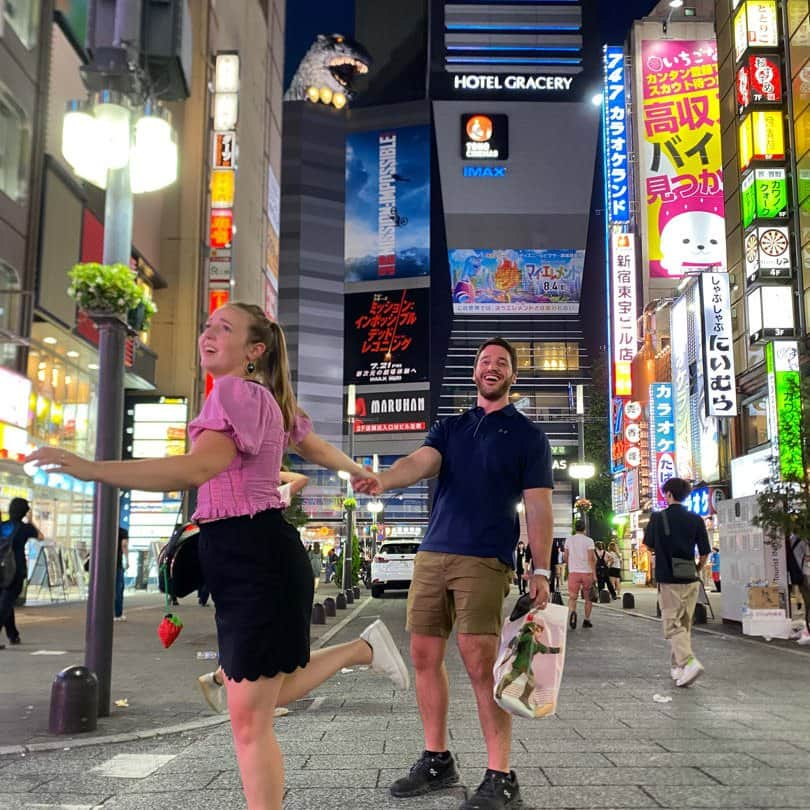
x=307, y=19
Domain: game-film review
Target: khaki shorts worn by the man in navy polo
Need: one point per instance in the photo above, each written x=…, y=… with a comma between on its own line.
x=450, y=589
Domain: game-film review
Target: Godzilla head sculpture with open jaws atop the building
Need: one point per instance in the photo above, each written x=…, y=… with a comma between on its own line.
x=333, y=62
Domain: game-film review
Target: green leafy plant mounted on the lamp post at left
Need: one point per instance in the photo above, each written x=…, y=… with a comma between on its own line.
x=111, y=289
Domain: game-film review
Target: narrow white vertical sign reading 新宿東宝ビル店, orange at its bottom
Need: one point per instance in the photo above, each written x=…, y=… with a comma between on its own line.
x=623, y=295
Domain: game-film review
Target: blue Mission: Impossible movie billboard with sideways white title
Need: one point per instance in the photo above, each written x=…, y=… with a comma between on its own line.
x=387, y=204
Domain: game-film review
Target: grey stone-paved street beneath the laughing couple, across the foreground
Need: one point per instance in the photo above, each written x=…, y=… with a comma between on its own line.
x=739, y=738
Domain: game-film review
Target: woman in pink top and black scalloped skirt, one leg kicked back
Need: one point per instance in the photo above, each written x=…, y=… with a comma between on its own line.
x=253, y=561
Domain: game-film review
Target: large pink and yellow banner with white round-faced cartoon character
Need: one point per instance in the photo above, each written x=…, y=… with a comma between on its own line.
x=682, y=170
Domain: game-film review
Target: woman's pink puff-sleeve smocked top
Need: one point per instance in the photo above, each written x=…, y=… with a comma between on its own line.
x=249, y=414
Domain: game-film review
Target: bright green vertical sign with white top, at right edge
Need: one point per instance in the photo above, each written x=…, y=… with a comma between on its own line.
x=785, y=406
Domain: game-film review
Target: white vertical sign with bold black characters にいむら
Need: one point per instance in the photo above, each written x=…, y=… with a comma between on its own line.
x=718, y=353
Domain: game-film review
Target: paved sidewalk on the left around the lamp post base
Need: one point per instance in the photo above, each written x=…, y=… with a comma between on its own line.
x=159, y=685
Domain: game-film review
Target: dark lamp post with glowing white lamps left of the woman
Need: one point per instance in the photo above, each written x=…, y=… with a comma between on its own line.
x=121, y=142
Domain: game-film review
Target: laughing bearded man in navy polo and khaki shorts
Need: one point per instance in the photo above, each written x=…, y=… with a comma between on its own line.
x=487, y=460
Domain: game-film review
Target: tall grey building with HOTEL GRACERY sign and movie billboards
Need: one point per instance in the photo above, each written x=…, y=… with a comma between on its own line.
x=469, y=175
